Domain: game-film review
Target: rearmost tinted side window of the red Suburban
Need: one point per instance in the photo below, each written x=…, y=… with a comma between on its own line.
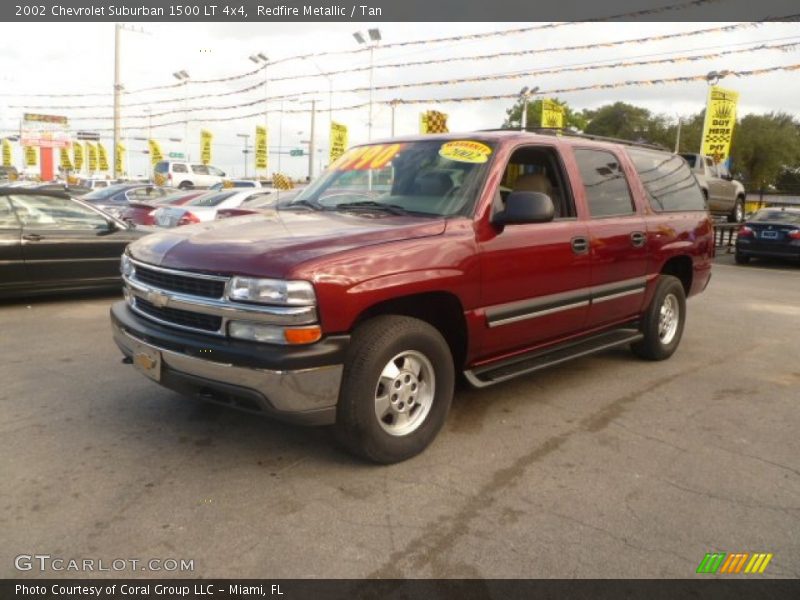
x=670, y=184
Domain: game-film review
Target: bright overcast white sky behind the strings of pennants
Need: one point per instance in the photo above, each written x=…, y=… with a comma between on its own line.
x=53, y=58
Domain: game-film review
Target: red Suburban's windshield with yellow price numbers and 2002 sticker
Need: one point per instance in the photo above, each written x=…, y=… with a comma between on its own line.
x=436, y=177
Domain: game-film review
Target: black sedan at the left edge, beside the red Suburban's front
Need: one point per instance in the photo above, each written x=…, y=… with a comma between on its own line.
x=49, y=242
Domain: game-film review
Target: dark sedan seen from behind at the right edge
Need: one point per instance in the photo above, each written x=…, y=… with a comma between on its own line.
x=771, y=232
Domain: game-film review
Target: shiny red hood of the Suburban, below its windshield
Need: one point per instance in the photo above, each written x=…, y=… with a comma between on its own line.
x=269, y=245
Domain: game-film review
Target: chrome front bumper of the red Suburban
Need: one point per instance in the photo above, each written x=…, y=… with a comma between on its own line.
x=306, y=396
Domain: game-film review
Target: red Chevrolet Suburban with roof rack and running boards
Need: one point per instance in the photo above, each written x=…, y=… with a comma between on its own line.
x=410, y=261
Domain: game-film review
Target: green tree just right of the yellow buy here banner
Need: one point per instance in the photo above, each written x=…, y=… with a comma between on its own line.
x=764, y=146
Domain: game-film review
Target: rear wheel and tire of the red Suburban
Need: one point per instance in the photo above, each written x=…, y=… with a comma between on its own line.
x=663, y=321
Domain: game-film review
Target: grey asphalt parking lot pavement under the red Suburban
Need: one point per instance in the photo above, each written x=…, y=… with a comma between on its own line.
x=604, y=467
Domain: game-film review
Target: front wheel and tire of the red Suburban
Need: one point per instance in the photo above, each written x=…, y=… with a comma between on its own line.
x=396, y=389
